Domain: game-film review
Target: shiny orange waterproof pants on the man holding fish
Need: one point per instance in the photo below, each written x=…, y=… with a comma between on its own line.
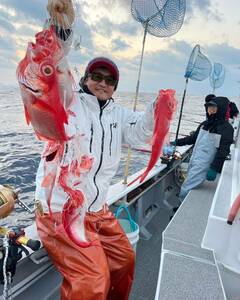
x=99, y=272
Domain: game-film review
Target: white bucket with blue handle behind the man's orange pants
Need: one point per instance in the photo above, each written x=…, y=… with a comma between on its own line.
x=130, y=227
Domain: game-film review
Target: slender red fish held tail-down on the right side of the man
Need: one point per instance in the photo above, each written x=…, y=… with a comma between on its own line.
x=165, y=106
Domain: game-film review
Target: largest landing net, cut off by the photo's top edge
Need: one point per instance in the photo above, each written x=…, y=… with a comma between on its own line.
x=162, y=17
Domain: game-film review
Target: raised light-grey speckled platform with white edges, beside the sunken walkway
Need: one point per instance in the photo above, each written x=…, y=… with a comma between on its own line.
x=188, y=271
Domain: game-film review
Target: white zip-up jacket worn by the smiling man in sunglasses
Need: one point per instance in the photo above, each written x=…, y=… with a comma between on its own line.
x=99, y=133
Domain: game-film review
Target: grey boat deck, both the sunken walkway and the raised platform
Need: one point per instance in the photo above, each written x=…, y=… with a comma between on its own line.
x=184, y=262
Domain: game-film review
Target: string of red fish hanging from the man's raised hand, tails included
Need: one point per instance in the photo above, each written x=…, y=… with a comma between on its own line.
x=46, y=86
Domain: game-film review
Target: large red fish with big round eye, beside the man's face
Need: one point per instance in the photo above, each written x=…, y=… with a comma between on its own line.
x=39, y=77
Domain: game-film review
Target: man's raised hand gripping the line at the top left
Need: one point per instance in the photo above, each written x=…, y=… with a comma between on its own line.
x=61, y=12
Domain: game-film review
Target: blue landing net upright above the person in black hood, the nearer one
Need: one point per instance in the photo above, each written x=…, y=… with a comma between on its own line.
x=199, y=66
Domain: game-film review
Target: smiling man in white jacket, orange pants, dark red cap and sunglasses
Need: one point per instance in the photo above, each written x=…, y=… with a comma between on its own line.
x=104, y=270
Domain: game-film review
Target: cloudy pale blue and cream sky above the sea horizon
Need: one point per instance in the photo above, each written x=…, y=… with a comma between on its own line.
x=107, y=28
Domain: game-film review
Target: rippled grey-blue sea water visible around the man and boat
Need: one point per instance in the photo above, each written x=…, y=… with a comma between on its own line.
x=20, y=150
